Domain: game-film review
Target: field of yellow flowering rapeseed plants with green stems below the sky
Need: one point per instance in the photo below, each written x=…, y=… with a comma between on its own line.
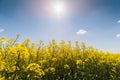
x=56, y=61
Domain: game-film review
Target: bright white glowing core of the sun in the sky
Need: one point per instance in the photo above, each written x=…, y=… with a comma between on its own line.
x=58, y=9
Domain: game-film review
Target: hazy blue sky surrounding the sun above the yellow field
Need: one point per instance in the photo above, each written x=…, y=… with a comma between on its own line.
x=95, y=22
